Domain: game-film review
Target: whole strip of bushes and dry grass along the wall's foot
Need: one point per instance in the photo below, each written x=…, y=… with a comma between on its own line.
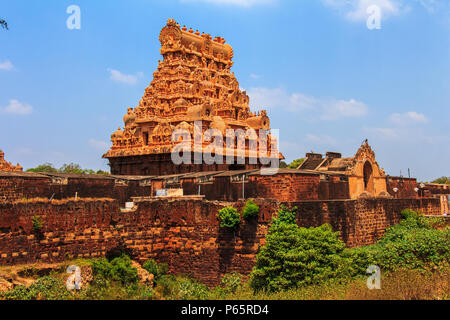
x=296, y=263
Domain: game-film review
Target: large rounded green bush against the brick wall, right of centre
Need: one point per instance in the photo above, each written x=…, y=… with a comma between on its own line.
x=295, y=256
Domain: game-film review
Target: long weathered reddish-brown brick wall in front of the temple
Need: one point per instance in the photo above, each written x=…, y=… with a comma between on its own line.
x=183, y=233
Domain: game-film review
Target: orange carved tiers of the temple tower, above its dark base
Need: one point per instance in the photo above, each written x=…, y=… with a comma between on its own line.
x=192, y=83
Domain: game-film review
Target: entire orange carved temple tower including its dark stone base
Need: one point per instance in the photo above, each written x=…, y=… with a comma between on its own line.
x=193, y=84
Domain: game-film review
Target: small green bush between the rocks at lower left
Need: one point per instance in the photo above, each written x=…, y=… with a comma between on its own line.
x=118, y=269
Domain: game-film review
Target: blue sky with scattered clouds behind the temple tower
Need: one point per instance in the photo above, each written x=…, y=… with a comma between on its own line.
x=327, y=81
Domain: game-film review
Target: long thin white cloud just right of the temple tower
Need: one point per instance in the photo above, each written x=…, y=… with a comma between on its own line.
x=325, y=108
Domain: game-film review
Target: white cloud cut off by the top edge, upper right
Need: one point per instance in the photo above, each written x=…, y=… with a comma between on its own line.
x=356, y=10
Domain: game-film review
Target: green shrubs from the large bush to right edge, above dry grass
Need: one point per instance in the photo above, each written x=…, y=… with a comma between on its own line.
x=294, y=257
